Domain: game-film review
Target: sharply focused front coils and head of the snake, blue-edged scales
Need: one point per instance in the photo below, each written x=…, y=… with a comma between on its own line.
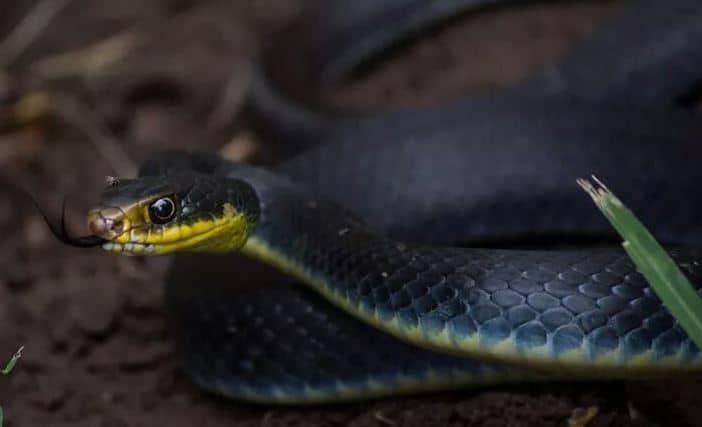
x=505, y=315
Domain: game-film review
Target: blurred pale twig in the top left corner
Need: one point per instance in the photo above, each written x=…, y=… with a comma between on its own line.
x=31, y=26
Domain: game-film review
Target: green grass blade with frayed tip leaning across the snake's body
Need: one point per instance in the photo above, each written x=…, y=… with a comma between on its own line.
x=661, y=272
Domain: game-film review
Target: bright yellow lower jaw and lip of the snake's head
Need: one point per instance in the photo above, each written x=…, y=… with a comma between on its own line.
x=224, y=234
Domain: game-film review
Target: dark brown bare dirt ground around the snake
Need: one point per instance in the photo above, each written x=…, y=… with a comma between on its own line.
x=106, y=83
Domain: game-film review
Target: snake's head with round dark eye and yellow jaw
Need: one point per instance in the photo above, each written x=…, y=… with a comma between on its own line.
x=156, y=215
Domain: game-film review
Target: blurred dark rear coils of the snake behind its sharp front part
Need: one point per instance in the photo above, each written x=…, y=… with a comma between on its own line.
x=504, y=149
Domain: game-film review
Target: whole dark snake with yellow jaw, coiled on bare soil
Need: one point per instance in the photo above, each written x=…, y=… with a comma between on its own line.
x=372, y=291
